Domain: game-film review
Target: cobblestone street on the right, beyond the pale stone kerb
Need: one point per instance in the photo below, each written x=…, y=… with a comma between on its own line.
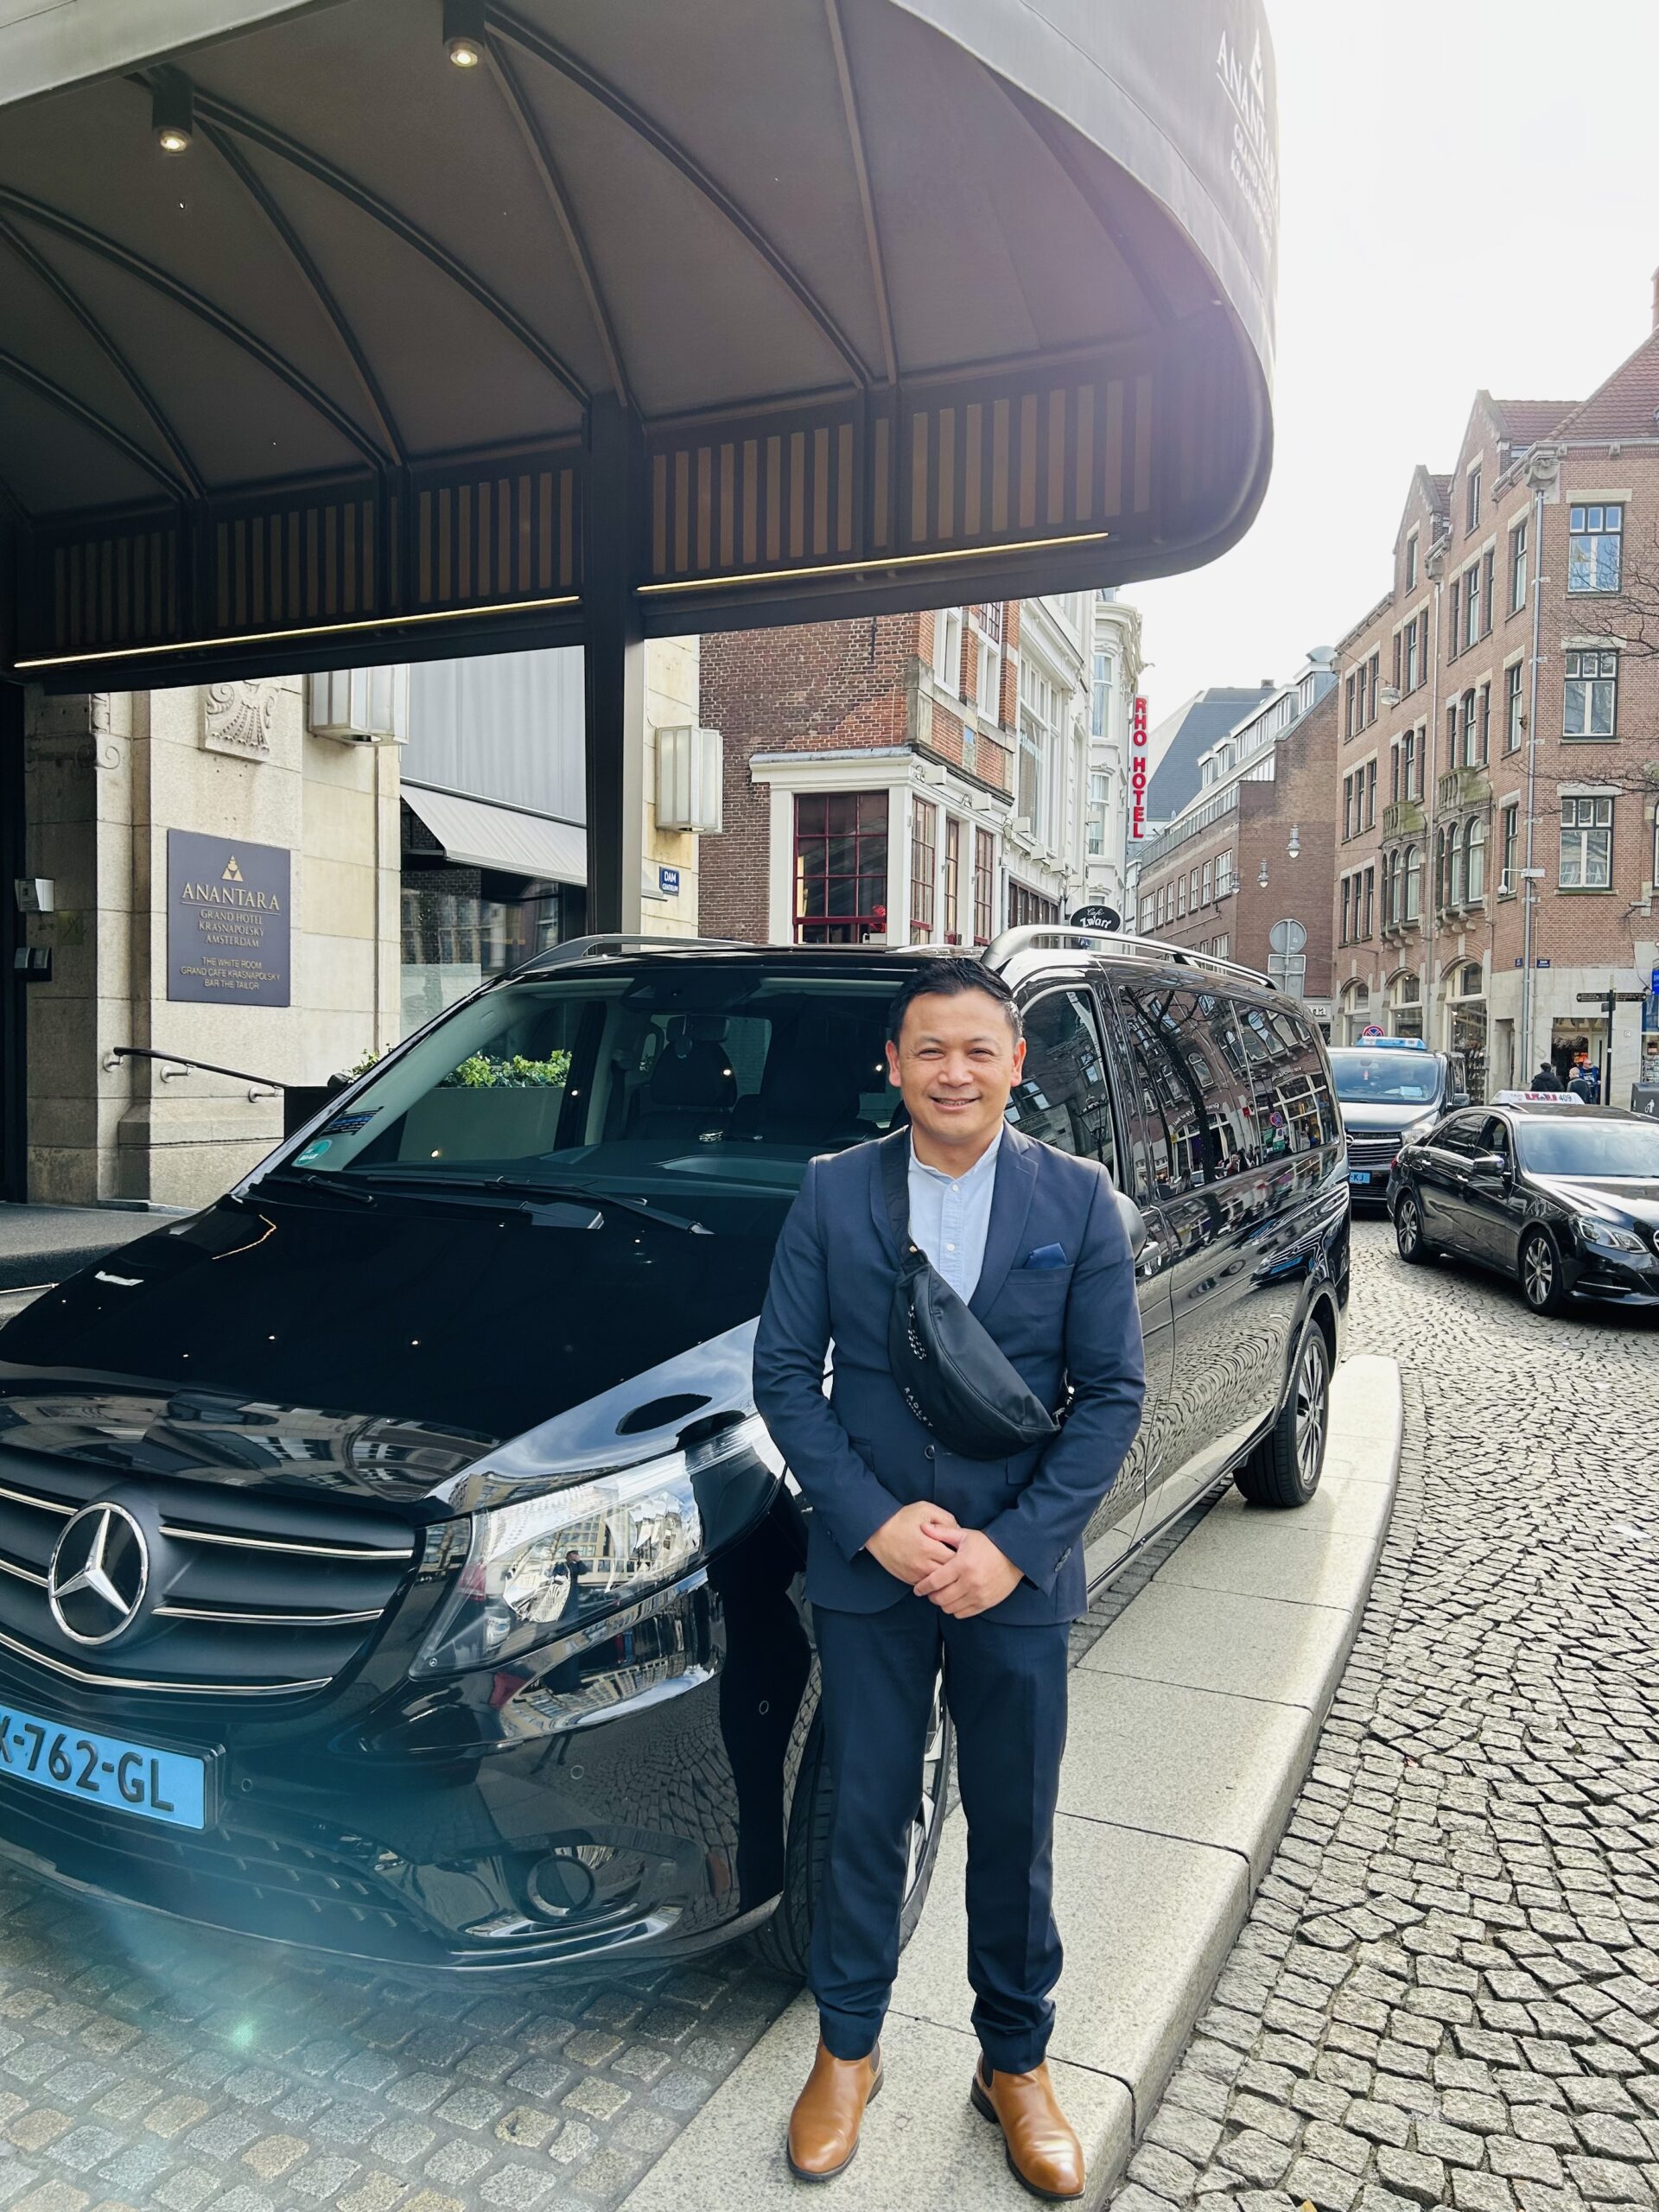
x=1448, y=1992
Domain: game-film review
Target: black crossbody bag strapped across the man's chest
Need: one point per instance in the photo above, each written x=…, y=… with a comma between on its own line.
x=954, y=1375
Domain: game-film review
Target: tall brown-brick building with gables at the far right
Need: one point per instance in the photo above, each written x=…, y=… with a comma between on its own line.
x=1496, y=800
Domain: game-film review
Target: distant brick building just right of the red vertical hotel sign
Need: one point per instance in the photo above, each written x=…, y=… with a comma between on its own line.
x=1246, y=870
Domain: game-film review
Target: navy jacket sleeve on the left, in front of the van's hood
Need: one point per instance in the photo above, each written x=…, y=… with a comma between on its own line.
x=789, y=1384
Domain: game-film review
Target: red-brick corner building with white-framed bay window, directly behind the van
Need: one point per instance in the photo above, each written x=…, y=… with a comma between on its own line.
x=901, y=780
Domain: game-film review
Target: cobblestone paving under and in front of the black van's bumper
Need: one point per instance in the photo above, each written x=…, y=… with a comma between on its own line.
x=149, y=2067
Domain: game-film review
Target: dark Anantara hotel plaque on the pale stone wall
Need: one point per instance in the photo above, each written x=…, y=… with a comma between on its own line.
x=229, y=941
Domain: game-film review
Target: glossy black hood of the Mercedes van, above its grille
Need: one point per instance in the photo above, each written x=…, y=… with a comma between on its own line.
x=415, y=1353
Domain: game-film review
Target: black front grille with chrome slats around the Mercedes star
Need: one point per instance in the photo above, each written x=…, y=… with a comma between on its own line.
x=251, y=1594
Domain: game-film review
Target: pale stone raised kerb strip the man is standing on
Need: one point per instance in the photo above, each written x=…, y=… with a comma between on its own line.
x=1193, y=1722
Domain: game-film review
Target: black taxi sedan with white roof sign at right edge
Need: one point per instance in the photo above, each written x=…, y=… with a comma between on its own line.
x=1565, y=1198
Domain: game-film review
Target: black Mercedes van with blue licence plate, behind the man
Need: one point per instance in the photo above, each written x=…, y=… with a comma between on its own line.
x=390, y=1556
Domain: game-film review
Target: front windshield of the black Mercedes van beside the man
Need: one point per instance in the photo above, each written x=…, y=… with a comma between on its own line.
x=678, y=1085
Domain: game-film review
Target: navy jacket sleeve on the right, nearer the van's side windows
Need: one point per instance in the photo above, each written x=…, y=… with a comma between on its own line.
x=1107, y=1375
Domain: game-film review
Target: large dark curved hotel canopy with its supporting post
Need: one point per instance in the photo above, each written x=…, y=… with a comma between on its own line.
x=395, y=328
